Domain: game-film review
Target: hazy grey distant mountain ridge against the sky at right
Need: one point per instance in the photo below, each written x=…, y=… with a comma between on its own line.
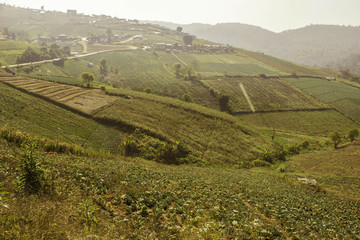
x=313, y=45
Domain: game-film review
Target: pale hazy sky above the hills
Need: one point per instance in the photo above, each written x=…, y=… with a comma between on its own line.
x=275, y=15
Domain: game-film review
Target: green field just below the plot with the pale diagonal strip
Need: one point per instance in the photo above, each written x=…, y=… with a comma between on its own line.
x=318, y=123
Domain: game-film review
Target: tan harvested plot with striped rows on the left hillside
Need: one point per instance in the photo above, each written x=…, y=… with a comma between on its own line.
x=85, y=100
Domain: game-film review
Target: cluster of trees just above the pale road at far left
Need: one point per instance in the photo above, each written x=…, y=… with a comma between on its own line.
x=44, y=53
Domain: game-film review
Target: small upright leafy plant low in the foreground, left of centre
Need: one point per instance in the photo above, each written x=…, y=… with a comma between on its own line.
x=87, y=218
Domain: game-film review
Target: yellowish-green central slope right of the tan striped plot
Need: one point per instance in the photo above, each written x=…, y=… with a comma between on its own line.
x=213, y=136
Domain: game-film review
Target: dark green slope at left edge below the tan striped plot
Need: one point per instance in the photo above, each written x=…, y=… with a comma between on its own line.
x=36, y=116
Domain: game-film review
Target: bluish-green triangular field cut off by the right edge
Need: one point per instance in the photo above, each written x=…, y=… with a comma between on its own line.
x=342, y=97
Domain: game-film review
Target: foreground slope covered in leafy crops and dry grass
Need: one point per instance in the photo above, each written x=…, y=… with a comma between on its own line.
x=143, y=200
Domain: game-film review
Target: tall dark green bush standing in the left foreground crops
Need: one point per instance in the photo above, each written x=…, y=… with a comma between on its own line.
x=32, y=177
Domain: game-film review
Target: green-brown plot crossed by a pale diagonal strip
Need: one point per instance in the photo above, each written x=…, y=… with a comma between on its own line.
x=266, y=94
